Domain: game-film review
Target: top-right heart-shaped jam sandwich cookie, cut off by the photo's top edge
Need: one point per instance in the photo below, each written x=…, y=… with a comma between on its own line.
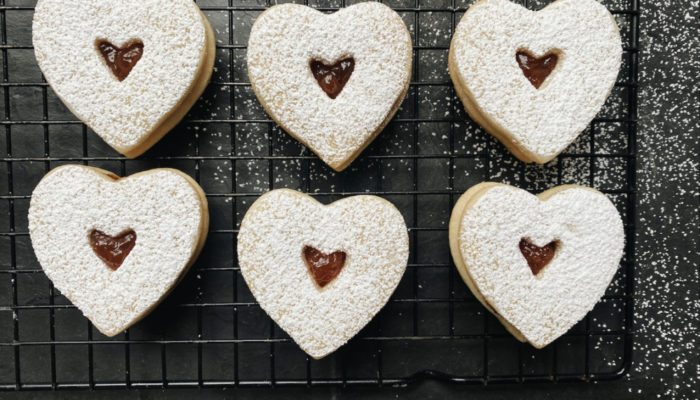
x=534, y=80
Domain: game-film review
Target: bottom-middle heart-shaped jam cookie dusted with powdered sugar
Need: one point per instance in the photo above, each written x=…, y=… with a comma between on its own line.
x=322, y=271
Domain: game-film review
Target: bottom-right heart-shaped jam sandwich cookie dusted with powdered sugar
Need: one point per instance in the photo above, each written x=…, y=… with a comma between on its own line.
x=539, y=263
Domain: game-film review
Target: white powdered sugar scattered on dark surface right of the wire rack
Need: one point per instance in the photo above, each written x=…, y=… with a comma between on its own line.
x=666, y=355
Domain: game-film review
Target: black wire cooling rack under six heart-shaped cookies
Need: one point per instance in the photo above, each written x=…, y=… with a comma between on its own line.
x=210, y=331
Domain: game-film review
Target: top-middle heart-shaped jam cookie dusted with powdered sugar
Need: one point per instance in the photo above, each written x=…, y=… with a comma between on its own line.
x=298, y=63
